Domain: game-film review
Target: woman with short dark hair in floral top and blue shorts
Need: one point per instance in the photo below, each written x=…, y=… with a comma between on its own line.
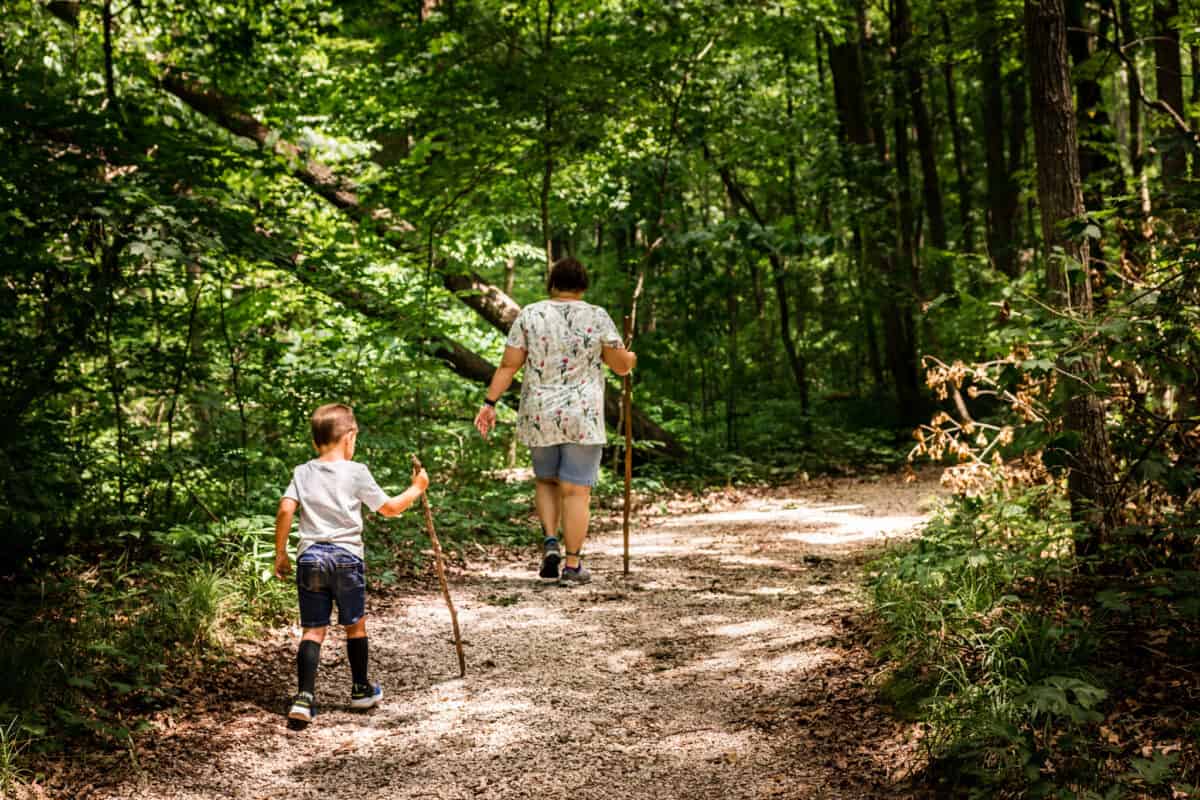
x=561, y=342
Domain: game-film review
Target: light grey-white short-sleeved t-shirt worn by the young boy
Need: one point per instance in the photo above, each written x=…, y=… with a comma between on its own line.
x=332, y=495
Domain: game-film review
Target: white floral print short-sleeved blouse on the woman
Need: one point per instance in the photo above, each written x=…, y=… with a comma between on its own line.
x=562, y=398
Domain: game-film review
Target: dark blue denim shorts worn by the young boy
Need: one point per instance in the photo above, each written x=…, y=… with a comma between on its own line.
x=328, y=573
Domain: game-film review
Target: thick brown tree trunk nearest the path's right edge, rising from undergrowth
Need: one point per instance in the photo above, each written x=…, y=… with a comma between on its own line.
x=1060, y=197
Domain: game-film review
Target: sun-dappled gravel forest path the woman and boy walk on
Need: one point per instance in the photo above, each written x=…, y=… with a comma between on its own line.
x=733, y=663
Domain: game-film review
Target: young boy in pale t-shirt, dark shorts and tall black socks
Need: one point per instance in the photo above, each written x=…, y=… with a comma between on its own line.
x=331, y=491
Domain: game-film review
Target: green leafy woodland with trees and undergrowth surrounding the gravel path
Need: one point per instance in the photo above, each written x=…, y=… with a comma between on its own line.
x=845, y=222
